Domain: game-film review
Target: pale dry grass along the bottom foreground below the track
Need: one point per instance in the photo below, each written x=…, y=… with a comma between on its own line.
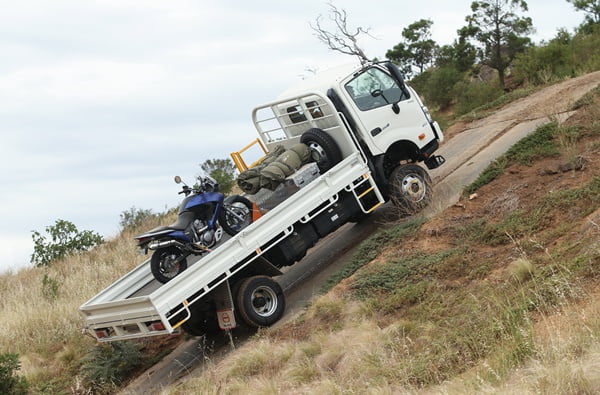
x=362, y=357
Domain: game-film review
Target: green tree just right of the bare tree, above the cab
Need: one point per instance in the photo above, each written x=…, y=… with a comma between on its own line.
x=417, y=50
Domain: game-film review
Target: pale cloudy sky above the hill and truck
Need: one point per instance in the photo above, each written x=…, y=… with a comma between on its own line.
x=102, y=102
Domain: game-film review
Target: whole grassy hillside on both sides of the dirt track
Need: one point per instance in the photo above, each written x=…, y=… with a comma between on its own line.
x=492, y=293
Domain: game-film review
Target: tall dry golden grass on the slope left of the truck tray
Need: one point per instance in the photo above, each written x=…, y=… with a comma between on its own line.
x=41, y=320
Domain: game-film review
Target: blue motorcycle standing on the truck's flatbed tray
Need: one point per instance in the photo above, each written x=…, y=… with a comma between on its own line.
x=203, y=215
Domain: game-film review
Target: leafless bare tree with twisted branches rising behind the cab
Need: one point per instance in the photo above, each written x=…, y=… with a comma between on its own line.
x=342, y=39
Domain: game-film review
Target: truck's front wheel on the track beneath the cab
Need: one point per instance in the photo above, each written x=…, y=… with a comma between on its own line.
x=410, y=188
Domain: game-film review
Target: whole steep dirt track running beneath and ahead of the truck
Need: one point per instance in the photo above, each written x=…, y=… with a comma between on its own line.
x=468, y=151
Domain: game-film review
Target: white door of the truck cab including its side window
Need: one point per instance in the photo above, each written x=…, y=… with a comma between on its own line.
x=386, y=112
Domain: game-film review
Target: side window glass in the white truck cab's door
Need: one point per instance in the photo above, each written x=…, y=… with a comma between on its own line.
x=374, y=88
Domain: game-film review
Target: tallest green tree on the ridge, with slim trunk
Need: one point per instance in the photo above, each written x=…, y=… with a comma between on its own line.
x=501, y=33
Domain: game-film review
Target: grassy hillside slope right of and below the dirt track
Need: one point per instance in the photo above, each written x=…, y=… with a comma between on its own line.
x=498, y=293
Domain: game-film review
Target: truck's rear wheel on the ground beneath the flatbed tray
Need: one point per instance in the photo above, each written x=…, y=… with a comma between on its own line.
x=260, y=301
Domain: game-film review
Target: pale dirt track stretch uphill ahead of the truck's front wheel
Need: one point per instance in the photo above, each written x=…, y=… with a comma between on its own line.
x=470, y=149
